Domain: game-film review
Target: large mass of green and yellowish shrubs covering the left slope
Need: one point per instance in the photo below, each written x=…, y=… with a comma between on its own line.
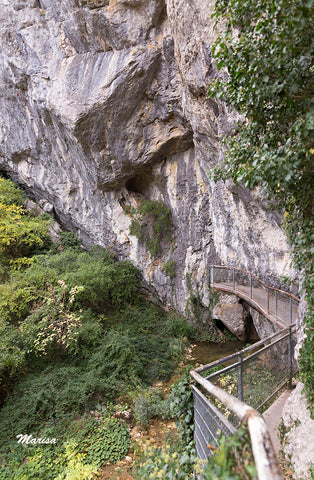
x=76, y=336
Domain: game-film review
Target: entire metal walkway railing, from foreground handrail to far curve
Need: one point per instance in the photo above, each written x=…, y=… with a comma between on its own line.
x=248, y=380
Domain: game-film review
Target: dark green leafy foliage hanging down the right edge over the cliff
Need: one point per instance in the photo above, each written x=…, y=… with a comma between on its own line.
x=267, y=47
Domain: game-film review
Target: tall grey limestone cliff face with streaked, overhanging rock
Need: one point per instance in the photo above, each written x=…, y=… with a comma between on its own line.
x=103, y=102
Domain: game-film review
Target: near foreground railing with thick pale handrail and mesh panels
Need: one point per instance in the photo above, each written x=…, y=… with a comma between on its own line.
x=245, y=382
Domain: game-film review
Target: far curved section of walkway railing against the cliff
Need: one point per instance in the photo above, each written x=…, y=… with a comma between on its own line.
x=278, y=306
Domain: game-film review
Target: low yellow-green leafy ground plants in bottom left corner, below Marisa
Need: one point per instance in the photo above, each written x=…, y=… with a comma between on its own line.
x=87, y=444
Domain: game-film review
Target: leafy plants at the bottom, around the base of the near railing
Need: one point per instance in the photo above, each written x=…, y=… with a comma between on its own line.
x=232, y=459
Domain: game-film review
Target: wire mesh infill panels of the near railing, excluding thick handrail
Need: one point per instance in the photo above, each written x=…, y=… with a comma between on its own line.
x=254, y=375
